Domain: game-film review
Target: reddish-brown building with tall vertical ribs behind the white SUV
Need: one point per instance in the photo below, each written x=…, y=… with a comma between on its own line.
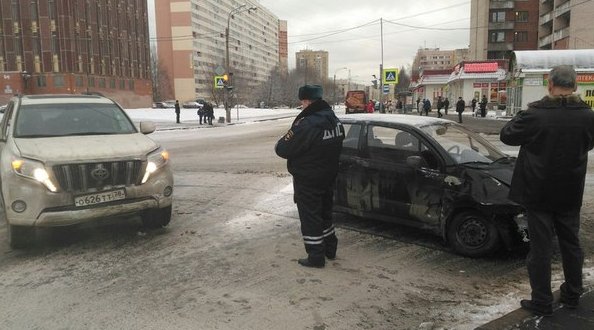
x=55, y=46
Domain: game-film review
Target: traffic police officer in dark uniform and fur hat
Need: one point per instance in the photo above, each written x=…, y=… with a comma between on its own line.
x=312, y=147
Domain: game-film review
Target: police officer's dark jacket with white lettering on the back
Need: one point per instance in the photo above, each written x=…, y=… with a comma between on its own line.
x=312, y=146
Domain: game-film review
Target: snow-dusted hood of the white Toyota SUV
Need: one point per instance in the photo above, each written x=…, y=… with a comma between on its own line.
x=81, y=148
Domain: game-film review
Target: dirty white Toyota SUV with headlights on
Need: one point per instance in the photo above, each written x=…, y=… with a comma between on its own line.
x=66, y=159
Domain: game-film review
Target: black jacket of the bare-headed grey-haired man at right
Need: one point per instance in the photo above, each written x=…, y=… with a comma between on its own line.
x=555, y=135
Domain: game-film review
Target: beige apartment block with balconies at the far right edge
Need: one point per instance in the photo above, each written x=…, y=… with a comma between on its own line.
x=565, y=24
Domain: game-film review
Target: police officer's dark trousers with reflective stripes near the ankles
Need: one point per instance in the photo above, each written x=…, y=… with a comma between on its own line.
x=315, y=212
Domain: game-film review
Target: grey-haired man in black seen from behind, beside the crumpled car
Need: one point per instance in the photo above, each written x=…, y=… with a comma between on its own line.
x=554, y=135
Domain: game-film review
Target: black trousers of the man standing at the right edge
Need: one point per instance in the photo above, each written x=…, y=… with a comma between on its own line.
x=542, y=225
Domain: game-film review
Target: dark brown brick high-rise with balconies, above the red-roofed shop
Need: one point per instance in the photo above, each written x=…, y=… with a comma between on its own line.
x=498, y=27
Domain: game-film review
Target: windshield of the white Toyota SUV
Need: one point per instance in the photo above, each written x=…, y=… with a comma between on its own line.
x=48, y=120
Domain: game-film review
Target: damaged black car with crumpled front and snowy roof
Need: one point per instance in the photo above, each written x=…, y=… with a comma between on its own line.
x=432, y=174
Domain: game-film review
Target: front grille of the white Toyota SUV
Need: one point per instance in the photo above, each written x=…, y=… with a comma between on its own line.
x=92, y=176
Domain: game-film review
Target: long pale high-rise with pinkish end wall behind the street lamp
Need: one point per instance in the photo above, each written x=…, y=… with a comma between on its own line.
x=192, y=36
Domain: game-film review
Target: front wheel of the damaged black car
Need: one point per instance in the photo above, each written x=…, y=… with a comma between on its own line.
x=470, y=234
